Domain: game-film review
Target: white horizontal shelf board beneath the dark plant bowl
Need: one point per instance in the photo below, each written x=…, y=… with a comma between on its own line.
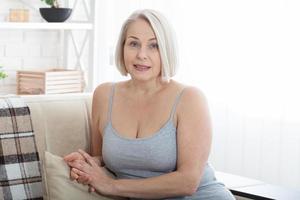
x=45, y=26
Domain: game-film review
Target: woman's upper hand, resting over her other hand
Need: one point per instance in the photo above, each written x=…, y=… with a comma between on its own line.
x=92, y=174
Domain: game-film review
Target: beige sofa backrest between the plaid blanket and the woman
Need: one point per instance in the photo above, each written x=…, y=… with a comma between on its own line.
x=61, y=124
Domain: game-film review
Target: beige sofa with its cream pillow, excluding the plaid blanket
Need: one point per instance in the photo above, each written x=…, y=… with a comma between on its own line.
x=61, y=125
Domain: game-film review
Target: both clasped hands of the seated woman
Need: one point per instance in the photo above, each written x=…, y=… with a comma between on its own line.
x=87, y=171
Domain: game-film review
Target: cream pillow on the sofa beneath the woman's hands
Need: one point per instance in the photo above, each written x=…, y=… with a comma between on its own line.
x=59, y=185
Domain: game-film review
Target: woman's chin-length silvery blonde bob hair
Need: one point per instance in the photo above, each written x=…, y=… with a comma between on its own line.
x=165, y=38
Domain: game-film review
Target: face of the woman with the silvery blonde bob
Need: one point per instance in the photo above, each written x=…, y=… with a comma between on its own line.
x=141, y=53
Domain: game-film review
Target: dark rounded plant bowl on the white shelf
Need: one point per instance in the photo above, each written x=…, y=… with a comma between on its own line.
x=55, y=14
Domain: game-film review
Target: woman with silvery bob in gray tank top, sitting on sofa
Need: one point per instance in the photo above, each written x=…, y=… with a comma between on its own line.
x=152, y=132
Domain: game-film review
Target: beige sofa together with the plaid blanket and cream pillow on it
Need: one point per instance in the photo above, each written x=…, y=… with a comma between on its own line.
x=61, y=125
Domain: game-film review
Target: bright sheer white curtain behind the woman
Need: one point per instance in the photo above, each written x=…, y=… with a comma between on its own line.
x=245, y=56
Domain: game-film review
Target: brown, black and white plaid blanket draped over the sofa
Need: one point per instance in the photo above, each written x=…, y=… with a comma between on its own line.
x=20, y=173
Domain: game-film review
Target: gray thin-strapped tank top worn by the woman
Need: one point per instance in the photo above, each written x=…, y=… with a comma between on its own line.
x=144, y=157
